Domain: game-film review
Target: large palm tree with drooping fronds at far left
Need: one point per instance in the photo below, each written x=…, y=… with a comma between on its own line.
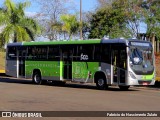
x=17, y=26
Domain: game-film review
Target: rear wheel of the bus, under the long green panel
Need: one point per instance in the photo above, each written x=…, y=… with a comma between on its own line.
x=37, y=78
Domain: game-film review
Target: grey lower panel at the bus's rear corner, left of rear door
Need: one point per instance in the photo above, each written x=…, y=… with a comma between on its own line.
x=11, y=68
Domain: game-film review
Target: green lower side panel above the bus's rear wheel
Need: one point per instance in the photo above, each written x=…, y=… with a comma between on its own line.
x=50, y=70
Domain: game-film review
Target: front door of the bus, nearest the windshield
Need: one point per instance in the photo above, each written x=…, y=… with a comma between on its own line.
x=119, y=64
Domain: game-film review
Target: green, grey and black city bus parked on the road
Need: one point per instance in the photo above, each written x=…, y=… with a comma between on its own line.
x=104, y=62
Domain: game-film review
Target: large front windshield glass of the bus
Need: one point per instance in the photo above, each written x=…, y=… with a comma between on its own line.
x=141, y=60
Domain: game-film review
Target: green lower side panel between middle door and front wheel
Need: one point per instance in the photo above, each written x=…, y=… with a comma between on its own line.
x=84, y=71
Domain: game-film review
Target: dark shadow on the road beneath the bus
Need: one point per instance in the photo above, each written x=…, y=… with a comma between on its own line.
x=68, y=85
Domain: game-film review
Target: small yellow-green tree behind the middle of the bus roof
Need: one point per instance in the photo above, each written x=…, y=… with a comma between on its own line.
x=70, y=24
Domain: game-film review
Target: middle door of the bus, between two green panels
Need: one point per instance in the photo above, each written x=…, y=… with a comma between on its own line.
x=67, y=63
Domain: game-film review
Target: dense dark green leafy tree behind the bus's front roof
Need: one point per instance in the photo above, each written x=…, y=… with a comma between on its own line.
x=109, y=20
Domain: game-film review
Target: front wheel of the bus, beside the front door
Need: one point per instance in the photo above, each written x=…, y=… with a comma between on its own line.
x=101, y=84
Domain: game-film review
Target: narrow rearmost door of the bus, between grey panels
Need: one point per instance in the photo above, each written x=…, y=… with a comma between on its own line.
x=21, y=56
